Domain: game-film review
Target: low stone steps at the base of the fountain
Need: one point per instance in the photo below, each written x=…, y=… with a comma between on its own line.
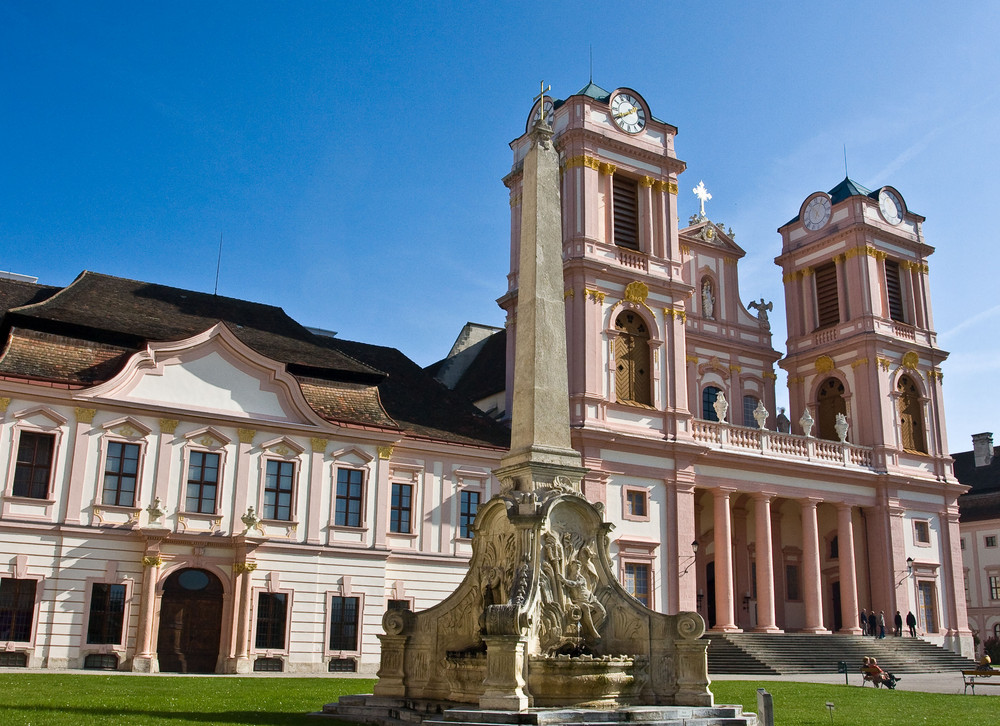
x=393, y=712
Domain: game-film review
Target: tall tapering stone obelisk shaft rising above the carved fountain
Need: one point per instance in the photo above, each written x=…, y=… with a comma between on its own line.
x=540, y=448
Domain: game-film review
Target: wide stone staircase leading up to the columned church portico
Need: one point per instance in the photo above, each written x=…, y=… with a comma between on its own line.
x=786, y=653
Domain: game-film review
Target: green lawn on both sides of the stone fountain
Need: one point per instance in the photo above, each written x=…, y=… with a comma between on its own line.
x=42, y=699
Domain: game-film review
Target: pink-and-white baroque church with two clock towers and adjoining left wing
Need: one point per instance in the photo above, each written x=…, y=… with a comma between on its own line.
x=195, y=483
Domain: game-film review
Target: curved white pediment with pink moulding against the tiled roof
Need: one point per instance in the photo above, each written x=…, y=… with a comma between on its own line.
x=213, y=373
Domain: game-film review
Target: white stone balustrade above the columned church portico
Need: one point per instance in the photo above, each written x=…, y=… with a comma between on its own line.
x=788, y=446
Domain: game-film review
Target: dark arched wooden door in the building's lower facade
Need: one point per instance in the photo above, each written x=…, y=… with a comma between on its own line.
x=190, y=622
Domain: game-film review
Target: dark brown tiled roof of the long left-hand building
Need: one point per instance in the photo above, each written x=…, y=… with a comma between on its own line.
x=84, y=333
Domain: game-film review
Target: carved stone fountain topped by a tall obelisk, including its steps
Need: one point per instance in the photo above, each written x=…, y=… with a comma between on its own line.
x=540, y=620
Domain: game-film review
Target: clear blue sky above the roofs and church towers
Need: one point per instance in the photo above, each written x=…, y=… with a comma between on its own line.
x=350, y=154
